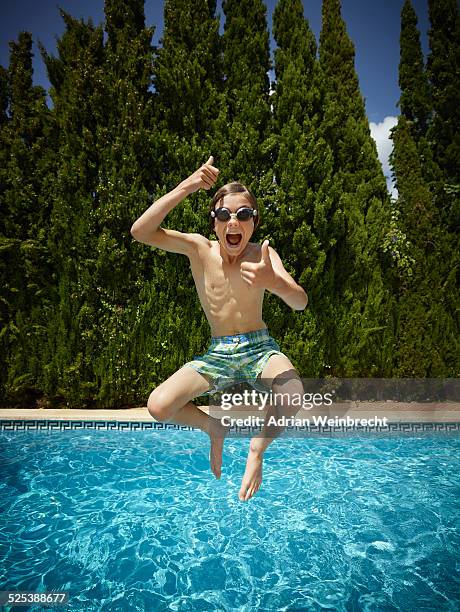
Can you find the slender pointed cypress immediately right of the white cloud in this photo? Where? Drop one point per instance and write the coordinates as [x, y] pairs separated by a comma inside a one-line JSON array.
[[426, 337]]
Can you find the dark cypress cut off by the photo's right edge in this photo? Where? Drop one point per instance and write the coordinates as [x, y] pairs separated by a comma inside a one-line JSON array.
[[442, 168]]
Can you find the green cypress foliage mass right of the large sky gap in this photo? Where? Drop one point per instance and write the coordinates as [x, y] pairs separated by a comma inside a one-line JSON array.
[[421, 240]]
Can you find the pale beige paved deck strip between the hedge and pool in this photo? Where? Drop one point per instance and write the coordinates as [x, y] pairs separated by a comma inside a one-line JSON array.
[[412, 412]]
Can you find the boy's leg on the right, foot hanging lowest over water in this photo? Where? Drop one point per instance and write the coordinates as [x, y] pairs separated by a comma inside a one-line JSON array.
[[284, 381]]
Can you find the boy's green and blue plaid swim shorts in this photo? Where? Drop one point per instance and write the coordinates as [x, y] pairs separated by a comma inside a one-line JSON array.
[[233, 359]]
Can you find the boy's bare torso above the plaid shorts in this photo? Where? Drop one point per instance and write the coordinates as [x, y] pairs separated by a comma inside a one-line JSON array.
[[230, 304]]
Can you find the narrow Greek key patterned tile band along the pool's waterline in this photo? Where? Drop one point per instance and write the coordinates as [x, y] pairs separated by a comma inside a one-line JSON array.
[[319, 430]]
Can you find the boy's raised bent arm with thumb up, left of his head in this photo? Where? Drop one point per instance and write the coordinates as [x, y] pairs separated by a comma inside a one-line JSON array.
[[147, 228]]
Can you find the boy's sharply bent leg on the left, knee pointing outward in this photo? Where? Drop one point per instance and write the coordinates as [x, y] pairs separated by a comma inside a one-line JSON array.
[[171, 402]]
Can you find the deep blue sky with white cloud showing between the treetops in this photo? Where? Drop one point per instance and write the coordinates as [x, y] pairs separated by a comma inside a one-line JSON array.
[[373, 25]]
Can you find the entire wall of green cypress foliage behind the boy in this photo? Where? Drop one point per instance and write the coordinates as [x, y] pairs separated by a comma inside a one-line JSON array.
[[89, 317]]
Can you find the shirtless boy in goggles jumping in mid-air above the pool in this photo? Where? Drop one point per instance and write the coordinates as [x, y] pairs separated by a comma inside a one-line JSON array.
[[231, 275]]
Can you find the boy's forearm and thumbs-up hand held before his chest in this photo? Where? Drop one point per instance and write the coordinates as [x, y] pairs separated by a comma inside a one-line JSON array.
[[270, 274]]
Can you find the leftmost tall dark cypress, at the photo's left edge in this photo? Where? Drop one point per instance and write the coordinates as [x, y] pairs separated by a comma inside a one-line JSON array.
[[25, 263]]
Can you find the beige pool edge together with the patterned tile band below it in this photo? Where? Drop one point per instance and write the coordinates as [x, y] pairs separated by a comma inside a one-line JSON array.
[[402, 418]]
